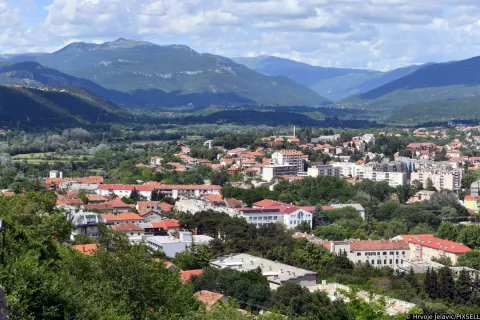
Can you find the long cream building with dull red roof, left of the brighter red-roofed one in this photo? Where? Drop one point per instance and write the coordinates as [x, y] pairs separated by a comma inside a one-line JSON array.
[[378, 253]]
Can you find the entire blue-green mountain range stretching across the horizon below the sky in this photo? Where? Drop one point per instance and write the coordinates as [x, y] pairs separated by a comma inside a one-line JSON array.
[[132, 73]]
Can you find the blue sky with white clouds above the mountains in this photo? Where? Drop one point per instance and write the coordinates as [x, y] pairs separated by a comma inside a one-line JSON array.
[[367, 34]]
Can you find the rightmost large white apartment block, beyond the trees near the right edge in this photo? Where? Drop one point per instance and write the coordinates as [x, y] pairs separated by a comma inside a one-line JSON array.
[[442, 179]]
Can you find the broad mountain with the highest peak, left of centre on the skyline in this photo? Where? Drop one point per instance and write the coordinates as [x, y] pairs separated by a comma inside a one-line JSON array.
[[173, 75]]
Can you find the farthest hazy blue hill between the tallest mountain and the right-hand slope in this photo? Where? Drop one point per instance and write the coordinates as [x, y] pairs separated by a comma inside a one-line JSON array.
[[332, 83]]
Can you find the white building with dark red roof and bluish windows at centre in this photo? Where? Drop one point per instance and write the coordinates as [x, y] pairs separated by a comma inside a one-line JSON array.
[[290, 216]]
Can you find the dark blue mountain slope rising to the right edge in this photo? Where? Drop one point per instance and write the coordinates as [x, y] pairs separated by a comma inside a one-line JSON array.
[[436, 82]]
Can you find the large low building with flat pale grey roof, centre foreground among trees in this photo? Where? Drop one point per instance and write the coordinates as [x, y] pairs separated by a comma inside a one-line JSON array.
[[275, 272]]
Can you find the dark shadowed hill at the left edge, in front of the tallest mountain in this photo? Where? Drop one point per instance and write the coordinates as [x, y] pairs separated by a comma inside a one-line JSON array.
[[54, 105]]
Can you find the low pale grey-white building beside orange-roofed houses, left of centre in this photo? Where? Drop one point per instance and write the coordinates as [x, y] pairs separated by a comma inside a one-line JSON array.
[[172, 245]]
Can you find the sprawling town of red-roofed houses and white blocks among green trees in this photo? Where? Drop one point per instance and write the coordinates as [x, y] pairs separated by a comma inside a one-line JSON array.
[[401, 201]]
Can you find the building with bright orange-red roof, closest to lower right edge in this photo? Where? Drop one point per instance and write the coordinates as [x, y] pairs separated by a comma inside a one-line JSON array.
[[426, 246]]
